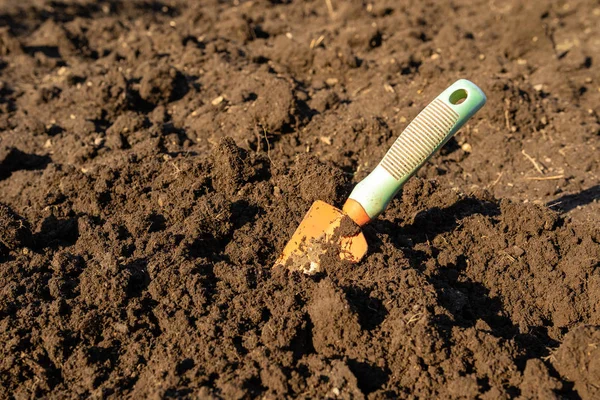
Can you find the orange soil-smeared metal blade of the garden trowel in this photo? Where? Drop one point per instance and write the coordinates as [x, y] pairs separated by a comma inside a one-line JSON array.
[[317, 232]]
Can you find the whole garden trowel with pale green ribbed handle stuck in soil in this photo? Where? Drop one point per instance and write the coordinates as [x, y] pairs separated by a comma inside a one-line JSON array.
[[326, 227]]
